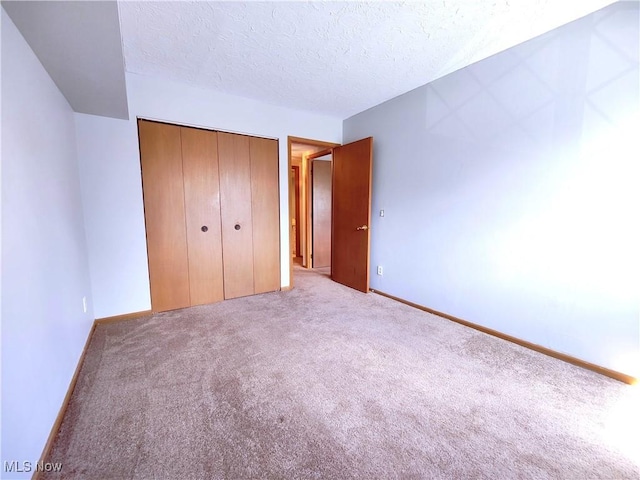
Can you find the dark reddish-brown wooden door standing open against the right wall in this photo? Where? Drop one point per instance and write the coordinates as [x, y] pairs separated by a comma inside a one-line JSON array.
[[351, 207]]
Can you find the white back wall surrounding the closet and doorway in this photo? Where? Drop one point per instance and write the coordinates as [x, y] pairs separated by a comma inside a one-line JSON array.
[[112, 188]]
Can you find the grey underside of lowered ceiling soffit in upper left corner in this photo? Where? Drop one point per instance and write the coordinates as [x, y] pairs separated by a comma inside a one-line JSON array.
[[80, 46]]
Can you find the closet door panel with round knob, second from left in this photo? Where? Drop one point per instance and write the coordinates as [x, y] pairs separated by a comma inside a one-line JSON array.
[[202, 199]]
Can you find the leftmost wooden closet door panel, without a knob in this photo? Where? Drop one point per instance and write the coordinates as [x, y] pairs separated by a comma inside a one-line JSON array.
[[160, 155]]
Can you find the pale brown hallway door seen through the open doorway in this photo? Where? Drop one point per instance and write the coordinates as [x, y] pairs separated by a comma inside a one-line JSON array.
[[321, 213]]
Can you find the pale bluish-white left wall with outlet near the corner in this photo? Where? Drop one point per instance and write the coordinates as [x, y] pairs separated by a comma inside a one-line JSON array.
[[44, 263]]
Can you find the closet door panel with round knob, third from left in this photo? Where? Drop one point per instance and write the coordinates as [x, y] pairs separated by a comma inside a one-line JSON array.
[[235, 206]]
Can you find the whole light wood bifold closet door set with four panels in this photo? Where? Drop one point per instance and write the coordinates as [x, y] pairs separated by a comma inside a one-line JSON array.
[[211, 202]]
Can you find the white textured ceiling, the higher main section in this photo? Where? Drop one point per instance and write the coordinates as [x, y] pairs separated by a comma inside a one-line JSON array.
[[336, 58]]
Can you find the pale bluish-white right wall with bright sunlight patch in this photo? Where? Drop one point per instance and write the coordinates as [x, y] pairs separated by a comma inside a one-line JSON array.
[[510, 191]]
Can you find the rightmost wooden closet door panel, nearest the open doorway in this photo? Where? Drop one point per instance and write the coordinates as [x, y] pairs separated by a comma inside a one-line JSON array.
[[265, 204]]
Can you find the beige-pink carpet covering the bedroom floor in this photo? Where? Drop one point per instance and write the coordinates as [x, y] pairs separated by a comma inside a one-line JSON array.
[[324, 382]]
